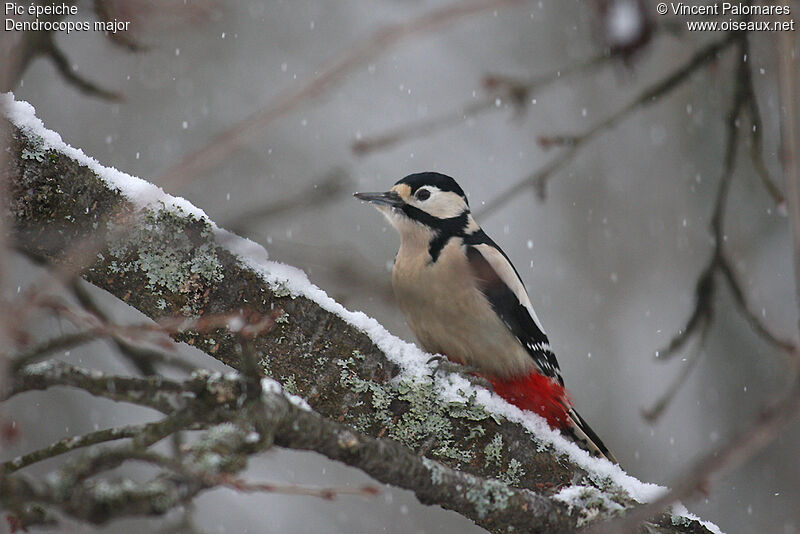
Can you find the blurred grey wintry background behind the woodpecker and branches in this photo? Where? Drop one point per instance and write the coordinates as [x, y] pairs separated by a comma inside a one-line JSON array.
[[610, 258]]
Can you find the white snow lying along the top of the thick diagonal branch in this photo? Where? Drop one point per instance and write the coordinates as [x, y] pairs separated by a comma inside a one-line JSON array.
[[411, 359]]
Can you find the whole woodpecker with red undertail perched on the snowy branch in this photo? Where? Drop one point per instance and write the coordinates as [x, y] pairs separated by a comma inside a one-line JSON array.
[[462, 298]]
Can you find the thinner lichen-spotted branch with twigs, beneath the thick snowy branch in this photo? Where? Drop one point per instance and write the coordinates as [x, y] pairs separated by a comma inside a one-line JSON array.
[[488, 502]]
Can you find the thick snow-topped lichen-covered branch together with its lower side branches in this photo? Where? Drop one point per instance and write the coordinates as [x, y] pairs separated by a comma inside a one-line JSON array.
[[375, 402]]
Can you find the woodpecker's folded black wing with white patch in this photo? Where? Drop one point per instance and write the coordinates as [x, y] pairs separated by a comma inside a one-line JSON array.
[[503, 288]]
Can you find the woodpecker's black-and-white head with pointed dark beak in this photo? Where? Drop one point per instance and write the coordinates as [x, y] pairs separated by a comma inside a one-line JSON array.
[[426, 201]]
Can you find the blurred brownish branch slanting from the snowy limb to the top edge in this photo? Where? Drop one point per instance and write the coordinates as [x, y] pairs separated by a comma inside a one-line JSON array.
[[225, 143]]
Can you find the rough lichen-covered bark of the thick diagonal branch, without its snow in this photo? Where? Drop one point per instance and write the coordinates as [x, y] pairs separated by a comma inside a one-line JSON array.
[[171, 264]]
